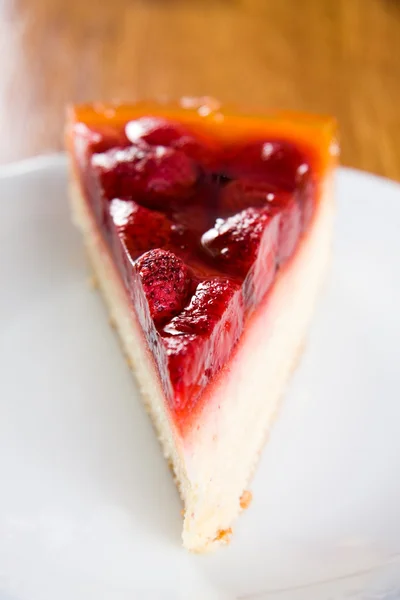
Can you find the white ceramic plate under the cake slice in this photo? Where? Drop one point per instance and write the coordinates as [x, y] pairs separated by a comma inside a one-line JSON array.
[[87, 505]]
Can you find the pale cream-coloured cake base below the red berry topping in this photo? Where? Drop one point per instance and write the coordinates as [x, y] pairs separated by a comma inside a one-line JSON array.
[[215, 460]]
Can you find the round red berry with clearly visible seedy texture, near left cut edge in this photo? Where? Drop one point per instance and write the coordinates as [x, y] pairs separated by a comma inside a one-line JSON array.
[[166, 283]]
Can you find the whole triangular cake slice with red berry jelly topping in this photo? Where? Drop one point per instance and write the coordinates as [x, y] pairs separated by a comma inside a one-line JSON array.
[[209, 234]]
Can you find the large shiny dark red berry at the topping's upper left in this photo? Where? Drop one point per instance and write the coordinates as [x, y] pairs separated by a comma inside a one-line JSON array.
[[149, 175]]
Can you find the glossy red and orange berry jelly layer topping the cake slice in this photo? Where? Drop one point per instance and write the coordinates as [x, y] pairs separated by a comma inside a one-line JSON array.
[[199, 224]]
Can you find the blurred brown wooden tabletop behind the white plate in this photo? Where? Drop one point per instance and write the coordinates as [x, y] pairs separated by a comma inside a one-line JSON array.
[[334, 56]]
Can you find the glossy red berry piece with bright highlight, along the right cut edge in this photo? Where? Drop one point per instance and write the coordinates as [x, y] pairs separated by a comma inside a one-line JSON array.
[[235, 241]]
